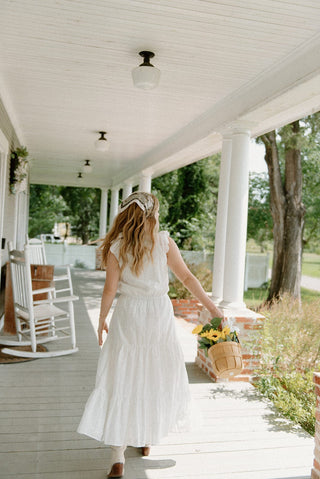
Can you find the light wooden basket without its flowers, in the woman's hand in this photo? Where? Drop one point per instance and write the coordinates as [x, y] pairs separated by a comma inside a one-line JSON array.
[[226, 359]]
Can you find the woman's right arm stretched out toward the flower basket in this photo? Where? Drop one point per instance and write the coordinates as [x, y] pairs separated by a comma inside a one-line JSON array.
[[182, 272]]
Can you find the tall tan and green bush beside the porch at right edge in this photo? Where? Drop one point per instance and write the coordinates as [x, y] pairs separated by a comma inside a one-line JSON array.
[[290, 344]]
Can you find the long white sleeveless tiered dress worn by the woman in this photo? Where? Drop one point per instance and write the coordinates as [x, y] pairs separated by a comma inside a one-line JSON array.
[[141, 391]]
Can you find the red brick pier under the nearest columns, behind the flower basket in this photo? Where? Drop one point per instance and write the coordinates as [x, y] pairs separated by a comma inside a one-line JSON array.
[[247, 323]]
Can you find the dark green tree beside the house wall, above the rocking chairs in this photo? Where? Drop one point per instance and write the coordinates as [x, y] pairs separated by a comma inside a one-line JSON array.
[[47, 207]]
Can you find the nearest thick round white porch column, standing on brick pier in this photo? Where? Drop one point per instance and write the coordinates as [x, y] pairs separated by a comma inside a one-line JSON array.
[[235, 248]]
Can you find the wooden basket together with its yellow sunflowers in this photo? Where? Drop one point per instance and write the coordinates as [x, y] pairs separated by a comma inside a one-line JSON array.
[[222, 345]]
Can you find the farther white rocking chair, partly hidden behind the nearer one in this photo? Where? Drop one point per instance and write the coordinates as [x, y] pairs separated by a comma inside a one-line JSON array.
[[37, 255]]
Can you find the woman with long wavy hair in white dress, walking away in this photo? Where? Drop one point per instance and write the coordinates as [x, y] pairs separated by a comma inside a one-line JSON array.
[[142, 390]]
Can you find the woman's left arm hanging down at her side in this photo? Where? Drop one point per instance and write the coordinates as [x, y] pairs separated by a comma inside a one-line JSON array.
[[109, 292]]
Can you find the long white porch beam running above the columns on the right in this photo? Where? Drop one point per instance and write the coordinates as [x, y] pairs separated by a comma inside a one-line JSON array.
[[287, 91]]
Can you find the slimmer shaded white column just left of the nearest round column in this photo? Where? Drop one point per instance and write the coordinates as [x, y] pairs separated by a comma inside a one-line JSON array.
[[221, 222]]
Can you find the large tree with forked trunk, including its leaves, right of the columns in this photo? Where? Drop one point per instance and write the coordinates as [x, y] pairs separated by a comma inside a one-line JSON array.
[[290, 152]]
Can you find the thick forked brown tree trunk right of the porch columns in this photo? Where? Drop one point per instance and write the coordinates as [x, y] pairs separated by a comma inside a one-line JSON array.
[[287, 213]]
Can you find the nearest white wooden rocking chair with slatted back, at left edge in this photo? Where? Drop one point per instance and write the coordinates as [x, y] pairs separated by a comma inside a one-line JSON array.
[[37, 322]]
